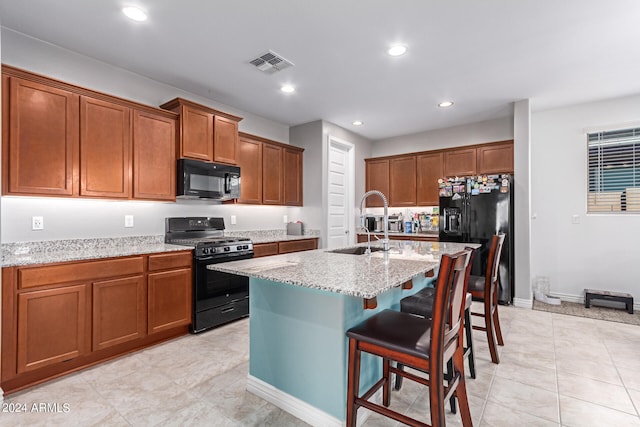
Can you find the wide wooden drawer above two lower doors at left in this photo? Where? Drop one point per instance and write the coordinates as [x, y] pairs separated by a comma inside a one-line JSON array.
[[29, 277]]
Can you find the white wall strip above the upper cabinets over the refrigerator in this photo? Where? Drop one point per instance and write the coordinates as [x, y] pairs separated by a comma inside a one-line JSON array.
[[470, 134]]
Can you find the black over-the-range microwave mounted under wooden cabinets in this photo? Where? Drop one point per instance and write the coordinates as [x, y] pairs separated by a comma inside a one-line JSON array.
[[202, 180]]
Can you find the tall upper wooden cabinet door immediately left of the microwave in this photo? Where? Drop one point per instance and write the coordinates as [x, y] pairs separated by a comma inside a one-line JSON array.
[[154, 160]]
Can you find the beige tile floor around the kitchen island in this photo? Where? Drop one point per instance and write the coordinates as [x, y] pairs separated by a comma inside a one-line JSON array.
[[555, 370]]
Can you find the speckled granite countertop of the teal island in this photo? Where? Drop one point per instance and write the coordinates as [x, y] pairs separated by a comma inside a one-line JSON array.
[[357, 275]]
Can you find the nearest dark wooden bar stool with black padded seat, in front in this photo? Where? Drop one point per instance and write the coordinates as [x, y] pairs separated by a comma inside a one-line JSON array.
[[420, 343]]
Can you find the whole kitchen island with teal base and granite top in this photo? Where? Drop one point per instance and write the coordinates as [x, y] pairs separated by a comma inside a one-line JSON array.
[[301, 305]]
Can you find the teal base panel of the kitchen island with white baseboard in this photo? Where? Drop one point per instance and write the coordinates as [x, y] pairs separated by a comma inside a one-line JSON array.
[[298, 346]]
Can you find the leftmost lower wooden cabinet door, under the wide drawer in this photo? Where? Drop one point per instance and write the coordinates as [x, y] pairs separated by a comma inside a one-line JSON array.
[[52, 326]]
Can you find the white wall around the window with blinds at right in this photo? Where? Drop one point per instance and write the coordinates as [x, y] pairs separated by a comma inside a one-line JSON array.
[[602, 251]]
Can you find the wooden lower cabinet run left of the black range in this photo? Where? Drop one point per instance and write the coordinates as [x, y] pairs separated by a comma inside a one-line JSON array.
[[58, 318]]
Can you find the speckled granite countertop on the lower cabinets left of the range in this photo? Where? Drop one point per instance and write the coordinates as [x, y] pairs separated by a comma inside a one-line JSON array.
[[52, 251]]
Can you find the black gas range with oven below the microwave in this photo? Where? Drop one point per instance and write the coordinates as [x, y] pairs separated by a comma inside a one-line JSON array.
[[218, 297]]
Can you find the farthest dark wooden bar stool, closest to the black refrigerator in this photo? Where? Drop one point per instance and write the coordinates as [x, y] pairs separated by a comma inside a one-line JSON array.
[[485, 289]]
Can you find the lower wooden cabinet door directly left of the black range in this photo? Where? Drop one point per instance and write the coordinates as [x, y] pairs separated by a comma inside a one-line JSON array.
[[169, 299]]
